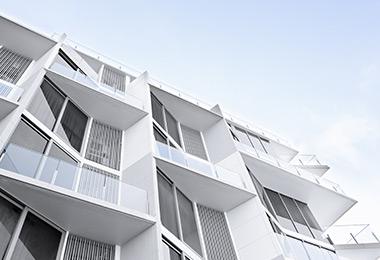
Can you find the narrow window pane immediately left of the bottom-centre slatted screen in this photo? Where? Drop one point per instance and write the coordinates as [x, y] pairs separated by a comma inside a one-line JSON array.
[[188, 224]]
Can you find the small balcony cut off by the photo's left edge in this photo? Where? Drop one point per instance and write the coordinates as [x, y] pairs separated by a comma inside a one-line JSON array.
[[9, 96]]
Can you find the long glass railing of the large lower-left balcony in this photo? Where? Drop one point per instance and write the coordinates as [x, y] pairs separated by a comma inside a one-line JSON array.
[[59, 173]]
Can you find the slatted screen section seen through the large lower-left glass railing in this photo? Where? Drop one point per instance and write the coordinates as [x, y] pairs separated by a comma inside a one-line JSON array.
[[99, 184]]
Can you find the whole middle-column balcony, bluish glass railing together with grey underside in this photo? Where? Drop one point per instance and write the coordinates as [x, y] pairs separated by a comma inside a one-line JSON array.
[[209, 185]]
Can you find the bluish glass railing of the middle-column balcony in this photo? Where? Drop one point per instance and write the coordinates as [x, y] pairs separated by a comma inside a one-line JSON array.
[[199, 165]]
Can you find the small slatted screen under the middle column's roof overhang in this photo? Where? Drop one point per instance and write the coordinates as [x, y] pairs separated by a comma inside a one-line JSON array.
[[193, 142]]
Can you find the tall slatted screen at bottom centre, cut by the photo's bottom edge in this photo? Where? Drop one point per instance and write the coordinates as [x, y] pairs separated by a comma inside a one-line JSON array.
[[216, 234]]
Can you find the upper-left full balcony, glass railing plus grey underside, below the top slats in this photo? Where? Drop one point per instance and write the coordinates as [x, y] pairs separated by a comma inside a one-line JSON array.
[[88, 94]]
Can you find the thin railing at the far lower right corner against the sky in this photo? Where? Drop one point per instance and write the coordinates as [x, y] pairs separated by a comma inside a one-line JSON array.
[[352, 234]]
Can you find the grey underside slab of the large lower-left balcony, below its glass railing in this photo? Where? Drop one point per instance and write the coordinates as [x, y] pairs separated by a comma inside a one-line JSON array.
[[75, 212]]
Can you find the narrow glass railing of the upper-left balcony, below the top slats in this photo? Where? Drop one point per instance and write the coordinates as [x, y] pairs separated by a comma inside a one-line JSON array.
[[83, 79]]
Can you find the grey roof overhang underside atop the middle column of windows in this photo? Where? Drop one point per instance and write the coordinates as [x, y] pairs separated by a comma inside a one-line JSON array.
[[186, 112]]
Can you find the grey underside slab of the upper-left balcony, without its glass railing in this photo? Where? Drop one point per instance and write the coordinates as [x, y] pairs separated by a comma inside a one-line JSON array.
[[98, 104]]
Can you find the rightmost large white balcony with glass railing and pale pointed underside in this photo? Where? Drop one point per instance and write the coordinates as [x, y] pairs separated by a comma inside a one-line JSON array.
[[326, 199]]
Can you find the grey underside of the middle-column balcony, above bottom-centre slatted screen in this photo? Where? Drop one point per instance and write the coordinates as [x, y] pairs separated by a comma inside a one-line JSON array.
[[203, 189]]
